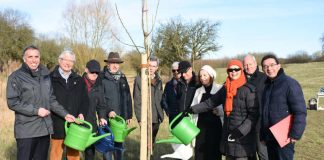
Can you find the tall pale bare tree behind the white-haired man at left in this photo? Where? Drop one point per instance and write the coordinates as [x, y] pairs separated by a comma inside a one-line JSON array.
[[88, 28]]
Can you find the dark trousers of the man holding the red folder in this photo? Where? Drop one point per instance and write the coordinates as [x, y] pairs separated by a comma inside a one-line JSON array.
[[277, 153]]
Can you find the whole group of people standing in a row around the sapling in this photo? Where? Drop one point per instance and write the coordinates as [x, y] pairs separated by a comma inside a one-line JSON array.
[[234, 117]]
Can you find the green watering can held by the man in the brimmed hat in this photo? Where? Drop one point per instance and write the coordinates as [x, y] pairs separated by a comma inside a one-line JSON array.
[[119, 128]]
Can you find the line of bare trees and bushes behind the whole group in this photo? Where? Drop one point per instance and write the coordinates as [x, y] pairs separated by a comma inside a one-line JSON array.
[[88, 27]]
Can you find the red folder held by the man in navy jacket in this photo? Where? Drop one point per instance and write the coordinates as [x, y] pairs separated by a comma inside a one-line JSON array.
[[281, 130]]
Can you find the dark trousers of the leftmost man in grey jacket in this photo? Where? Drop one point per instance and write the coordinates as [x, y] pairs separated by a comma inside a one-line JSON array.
[[33, 148]]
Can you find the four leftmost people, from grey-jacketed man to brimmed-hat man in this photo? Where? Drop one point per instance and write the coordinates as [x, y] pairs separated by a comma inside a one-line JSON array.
[[44, 100]]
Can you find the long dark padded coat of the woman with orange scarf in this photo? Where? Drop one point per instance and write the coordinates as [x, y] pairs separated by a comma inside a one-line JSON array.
[[243, 117]]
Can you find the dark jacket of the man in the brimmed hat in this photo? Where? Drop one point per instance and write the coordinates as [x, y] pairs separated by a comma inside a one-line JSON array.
[[117, 95]]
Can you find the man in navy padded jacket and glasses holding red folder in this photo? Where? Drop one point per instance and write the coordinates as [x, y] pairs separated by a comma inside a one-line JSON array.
[[282, 96]]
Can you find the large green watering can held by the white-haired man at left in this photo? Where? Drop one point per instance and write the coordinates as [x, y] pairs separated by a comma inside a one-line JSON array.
[[79, 137]]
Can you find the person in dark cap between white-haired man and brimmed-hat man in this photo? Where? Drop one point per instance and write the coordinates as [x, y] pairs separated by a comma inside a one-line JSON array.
[[96, 101]]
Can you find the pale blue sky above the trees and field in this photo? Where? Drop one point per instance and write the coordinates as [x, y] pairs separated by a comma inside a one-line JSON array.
[[279, 26]]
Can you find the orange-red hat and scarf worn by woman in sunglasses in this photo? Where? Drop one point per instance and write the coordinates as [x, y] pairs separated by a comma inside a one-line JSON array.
[[232, 86]]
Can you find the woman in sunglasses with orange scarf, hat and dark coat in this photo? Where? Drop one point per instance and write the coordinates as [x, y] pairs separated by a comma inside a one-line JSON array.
[[241, 113]]
